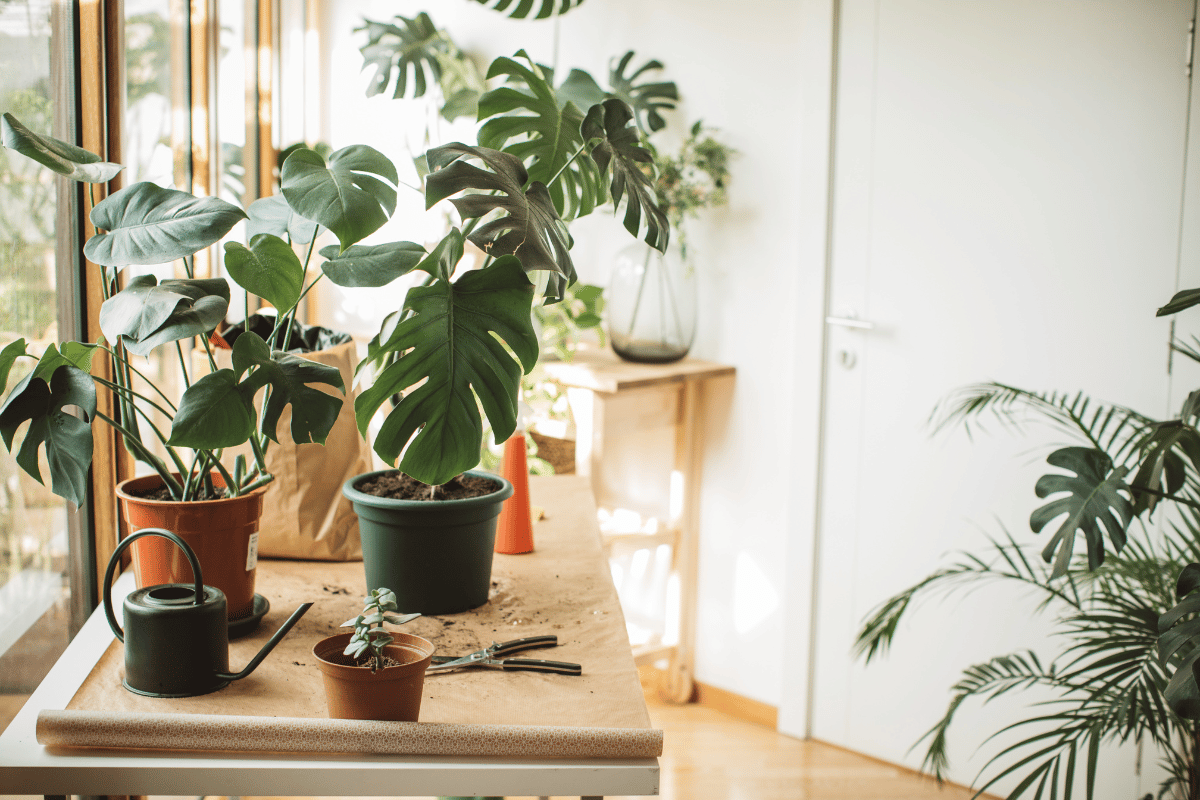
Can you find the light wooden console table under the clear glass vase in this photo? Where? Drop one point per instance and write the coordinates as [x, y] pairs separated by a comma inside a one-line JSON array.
[[613, 399]]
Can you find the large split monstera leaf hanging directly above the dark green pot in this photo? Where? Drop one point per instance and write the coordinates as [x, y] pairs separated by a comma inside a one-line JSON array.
[[453, 342]]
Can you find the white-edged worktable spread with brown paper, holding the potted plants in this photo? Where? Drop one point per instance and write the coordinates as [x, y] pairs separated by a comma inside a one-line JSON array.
[[29, 768]]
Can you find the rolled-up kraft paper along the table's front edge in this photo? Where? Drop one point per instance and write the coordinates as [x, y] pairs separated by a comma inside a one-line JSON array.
[[203, 732]]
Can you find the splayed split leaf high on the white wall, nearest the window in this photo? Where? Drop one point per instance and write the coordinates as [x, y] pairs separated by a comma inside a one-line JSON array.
[[403, 47]]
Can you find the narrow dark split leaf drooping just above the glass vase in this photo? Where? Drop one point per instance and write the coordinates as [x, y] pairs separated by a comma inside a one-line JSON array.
[[621, 151]]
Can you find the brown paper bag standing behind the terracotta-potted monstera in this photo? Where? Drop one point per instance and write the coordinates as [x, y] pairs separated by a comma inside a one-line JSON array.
[[304, 513]]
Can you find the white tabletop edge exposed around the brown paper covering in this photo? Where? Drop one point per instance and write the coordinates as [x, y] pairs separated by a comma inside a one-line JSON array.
[[29, 768]]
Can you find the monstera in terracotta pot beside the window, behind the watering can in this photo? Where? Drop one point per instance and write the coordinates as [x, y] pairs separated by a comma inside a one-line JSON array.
[[189, 491]]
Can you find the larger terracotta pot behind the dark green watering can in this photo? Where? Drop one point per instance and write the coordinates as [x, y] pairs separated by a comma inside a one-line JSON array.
[[223, 533]]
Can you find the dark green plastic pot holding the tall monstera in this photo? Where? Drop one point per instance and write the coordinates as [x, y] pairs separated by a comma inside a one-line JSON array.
[[436, 556]]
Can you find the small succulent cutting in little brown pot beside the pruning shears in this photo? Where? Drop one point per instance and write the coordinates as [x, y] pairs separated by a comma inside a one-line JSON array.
[[373, 675]]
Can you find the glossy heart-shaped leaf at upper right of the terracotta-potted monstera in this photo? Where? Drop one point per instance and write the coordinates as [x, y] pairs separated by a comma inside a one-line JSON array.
[[347, 196]]
